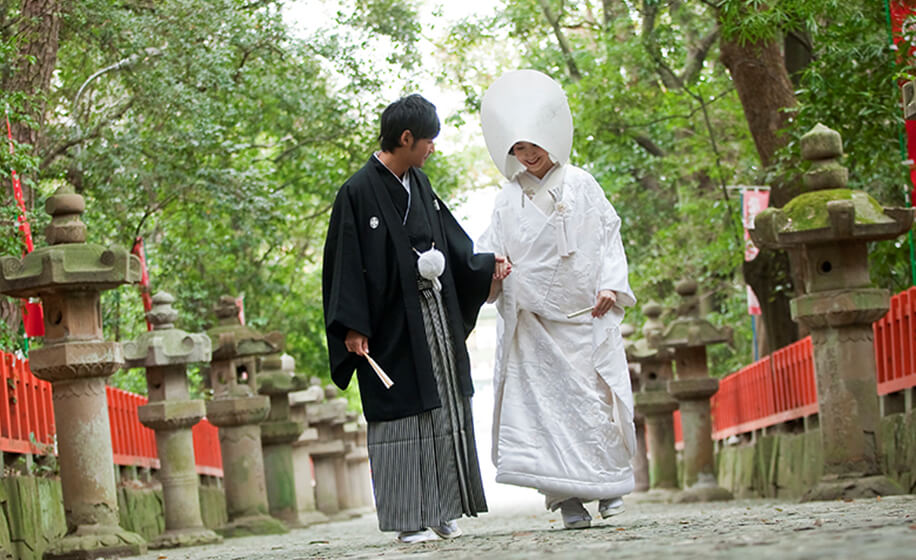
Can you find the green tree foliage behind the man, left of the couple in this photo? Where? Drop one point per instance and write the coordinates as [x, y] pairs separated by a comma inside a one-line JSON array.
[[220, 137]]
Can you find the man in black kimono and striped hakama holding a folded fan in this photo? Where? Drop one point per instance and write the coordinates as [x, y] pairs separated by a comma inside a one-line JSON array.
[[376, 302]]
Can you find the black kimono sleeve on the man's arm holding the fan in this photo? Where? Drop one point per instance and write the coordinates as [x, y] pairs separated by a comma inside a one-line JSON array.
[[343, 287]]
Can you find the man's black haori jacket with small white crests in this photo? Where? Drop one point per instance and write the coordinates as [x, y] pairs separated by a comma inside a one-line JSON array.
[[369, 285]]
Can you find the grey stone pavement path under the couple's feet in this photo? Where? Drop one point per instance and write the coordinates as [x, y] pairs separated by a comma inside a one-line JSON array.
[[746, 529]]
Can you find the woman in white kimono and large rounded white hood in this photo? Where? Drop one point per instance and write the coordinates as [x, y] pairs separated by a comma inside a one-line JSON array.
[[563, 415]]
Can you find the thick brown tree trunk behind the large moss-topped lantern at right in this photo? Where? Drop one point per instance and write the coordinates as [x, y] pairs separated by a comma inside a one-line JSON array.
[[759, 73]]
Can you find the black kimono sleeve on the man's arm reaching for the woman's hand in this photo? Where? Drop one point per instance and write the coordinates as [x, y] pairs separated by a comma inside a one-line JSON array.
[[471, 271]]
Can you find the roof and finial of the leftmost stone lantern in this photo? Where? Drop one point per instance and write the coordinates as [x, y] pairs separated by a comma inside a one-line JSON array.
[[67, 261]]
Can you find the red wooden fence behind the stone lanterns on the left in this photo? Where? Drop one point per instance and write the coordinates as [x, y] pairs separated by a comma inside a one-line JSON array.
[[27, 422]]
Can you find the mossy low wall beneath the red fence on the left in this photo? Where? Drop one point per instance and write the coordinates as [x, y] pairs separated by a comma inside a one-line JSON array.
[[32, 514]]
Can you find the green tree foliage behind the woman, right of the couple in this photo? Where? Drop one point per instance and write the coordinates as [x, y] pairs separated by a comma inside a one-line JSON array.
[[660, 125]]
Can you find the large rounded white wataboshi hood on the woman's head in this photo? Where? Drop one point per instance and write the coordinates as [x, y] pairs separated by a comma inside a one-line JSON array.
[[525, 106]]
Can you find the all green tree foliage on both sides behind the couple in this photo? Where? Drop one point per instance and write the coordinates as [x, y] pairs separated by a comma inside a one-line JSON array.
[[220, 136]]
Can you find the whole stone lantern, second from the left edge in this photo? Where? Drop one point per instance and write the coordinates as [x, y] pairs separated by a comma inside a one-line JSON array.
[[165, 352]]
